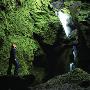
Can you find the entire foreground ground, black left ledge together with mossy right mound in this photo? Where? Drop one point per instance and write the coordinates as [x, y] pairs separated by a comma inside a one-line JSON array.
[[75, 80]]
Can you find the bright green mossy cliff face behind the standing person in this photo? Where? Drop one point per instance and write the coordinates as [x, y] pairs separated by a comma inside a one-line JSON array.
[[18, 20]]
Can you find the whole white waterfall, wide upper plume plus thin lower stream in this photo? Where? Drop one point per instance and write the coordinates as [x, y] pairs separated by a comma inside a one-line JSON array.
[[66, 21]]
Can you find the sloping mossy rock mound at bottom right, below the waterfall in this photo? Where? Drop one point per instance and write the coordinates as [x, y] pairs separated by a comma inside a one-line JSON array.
[[75, 80]]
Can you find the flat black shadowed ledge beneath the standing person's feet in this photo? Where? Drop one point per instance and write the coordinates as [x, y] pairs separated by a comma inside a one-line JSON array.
[[16, 82]]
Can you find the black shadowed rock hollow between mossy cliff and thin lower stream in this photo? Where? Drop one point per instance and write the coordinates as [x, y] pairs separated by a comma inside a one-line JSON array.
[[56, 58]]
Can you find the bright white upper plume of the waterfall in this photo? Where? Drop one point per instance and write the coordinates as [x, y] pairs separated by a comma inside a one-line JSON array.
[[65, 21]]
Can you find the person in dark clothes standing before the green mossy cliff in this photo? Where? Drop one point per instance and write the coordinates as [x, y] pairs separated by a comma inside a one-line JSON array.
[[13, 61]]
